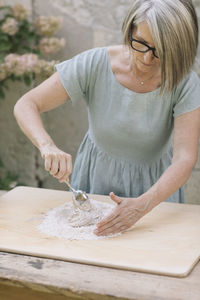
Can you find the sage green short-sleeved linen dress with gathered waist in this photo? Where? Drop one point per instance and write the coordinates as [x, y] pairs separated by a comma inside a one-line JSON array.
[[128, 145]]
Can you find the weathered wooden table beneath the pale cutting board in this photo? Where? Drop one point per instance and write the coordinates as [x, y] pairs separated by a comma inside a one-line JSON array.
[[27, 278]]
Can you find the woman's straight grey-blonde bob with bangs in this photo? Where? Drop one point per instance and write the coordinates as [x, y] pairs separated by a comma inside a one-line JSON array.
[[174, 28]]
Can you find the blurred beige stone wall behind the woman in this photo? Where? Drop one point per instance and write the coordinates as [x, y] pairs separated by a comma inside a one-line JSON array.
[[86, 24]]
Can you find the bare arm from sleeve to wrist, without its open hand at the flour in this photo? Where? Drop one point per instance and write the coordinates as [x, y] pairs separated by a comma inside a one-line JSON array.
[[185, 156]]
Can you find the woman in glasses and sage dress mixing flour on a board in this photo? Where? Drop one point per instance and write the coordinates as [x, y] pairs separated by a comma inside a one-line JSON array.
[[137, 95]]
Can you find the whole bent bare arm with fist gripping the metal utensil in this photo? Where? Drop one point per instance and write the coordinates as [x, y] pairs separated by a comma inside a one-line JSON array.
[[46, 96]]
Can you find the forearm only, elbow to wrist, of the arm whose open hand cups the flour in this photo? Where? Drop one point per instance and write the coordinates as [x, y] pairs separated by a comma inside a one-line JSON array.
[[171, 180]]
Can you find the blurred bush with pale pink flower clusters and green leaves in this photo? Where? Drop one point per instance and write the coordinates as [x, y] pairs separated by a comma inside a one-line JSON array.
[[24, 45]]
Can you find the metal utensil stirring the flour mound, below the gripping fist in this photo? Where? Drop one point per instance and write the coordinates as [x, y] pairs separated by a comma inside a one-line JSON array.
[[80, 198]]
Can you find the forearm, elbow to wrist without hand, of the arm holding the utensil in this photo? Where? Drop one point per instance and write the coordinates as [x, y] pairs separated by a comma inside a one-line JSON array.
[[30, 122]]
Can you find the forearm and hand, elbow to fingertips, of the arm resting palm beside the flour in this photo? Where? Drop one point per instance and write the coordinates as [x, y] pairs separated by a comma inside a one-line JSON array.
[[130, 210]]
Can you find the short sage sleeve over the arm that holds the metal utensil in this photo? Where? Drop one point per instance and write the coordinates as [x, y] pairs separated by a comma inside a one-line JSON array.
[[77, 74]]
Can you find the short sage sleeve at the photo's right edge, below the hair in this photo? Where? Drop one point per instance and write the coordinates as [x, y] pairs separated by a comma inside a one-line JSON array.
[[187, 95]]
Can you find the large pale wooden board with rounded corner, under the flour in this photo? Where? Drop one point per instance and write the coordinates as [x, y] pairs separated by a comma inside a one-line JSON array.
[[166, 241]]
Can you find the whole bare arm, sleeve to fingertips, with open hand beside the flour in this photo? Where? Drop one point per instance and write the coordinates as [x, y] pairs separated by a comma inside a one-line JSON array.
[[185, 154]]
